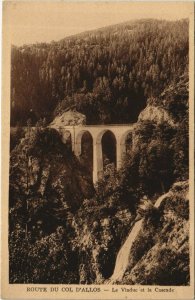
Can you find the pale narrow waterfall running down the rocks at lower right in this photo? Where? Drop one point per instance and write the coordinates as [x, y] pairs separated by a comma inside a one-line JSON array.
[[122, 259]]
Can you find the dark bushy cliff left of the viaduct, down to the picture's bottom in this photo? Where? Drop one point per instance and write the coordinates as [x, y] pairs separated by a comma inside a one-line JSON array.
[[47, 186]]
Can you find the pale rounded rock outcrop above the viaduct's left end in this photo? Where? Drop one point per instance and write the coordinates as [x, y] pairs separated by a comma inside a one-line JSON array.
[[69, 118]]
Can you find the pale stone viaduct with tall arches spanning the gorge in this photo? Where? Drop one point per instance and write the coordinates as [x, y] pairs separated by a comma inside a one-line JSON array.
[[120, 132]]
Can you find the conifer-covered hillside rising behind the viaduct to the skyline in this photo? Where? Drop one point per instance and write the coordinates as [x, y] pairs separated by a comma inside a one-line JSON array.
[[107, 74]]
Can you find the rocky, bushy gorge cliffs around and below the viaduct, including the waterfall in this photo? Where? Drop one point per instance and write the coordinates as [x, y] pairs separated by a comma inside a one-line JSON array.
[[63, 230]]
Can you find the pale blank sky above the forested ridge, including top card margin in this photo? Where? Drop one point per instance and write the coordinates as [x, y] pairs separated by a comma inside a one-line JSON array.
[[41, 21]]
